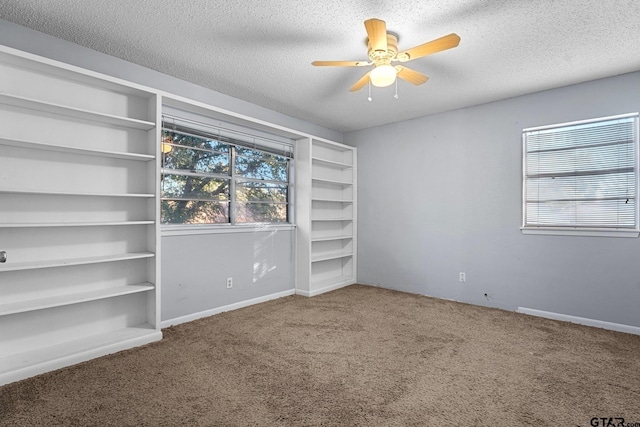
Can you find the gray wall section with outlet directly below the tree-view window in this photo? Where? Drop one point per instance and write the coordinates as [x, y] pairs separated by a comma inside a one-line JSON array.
[[195, 269]]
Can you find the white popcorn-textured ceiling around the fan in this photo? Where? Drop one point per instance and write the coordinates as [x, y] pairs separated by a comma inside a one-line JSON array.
[[261, 51]]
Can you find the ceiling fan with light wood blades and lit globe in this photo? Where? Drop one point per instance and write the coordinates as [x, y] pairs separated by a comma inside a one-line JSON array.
[[383, 50]]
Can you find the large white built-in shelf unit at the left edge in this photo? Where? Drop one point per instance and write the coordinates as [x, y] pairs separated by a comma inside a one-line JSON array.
[[79, 218]]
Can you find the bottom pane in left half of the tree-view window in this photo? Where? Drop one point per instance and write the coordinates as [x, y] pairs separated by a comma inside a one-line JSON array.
[[194, 212]]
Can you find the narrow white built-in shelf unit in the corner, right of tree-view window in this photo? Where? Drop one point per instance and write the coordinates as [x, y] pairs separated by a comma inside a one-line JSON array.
[[326, 238]]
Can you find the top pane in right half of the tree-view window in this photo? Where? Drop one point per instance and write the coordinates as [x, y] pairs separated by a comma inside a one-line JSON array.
[[260, 165]]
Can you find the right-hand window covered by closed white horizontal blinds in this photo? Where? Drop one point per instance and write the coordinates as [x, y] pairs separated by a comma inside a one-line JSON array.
[[582, 175]]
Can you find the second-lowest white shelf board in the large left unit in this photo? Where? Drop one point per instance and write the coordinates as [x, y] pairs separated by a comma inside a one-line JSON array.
[[72, 298]]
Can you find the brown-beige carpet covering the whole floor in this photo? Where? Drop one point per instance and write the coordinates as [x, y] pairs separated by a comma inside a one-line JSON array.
[[359, 356]]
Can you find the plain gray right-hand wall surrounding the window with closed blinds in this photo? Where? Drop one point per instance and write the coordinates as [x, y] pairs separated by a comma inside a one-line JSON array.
[[441, 195]]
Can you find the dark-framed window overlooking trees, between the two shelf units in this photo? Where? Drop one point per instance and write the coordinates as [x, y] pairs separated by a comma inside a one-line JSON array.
[[216, 176]]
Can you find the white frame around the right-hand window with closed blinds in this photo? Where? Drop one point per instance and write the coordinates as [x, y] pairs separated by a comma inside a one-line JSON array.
[[613, 231]]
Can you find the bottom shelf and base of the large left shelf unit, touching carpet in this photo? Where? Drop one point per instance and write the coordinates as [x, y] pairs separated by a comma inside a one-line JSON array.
[[29, 363]]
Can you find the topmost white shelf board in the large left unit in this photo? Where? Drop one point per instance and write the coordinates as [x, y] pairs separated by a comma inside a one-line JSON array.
[[78, 113]]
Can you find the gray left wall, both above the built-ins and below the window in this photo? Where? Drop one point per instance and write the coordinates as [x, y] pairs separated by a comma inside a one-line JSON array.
[[194, 267]]
